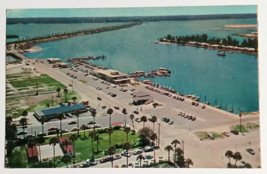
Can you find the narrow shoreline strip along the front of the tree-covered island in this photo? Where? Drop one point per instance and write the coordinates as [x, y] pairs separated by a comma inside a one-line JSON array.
[[212, 48]]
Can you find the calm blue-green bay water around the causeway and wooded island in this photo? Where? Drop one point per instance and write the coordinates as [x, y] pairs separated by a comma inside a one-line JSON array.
[[194, 70]]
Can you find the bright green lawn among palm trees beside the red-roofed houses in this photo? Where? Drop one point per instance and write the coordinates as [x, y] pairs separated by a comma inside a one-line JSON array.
[[83, 145]]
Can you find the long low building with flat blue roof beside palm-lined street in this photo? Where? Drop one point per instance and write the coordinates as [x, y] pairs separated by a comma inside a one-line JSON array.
[[52, 113]]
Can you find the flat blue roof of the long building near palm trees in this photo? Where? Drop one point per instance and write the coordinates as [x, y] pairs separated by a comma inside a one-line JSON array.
[[60, 109]]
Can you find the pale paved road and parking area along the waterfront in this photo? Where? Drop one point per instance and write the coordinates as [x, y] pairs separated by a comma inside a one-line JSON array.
[[203, 153]]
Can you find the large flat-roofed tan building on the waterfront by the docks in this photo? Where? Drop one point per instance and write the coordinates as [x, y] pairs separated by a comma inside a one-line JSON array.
[[112, 76]]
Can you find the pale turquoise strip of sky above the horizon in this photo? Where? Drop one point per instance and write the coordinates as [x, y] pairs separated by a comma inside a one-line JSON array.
[[145, 11]]
